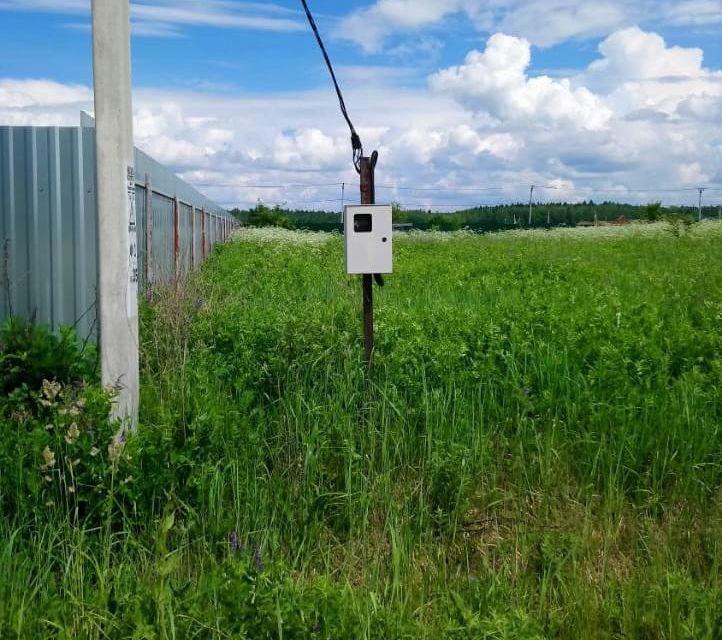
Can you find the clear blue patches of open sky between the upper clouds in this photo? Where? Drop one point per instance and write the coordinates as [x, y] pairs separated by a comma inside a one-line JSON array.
[[58, 46]]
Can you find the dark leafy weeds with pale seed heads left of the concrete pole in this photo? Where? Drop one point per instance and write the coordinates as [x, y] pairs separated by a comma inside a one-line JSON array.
[[59, 449]]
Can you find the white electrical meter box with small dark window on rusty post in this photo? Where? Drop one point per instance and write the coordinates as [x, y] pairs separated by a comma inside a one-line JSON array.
[[368, 230]]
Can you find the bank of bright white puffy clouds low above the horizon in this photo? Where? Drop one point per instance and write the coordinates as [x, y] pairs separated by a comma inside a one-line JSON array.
[[643, 118]]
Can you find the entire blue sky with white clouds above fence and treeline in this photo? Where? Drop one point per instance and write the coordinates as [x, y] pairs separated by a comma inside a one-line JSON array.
[[467, 101]]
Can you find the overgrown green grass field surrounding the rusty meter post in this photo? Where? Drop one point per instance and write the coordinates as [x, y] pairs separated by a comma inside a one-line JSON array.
[[535, 453]]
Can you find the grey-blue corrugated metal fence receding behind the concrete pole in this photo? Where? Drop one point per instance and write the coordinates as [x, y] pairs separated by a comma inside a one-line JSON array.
[[48, 221]]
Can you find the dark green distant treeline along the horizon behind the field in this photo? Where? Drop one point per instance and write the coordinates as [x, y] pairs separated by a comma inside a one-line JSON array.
[[482, 218]]
